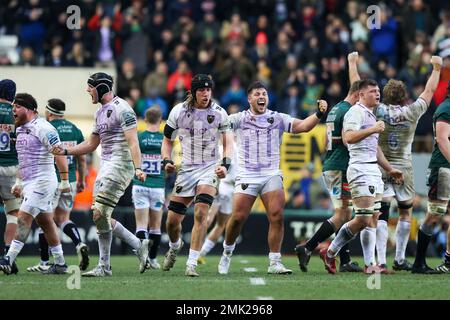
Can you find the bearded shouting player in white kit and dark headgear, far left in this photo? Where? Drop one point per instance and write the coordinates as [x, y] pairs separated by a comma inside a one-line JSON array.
[[35, 140]]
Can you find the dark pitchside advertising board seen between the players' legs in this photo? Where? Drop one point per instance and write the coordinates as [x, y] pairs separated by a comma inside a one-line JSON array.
[[299, 226]]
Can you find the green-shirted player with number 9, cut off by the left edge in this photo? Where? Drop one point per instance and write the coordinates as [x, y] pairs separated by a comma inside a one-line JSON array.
[[8, 161]]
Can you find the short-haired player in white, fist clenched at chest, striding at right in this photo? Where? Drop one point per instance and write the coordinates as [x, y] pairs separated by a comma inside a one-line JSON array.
[[360, 132]]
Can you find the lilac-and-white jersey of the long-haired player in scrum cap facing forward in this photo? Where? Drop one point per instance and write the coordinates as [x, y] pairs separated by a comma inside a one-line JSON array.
[[199, 133]]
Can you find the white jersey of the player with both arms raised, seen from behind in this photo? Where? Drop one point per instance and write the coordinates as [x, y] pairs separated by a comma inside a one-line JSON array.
[[397, 137]]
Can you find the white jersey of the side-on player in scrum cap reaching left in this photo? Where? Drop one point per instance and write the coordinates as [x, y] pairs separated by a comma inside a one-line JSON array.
[[111, 121]]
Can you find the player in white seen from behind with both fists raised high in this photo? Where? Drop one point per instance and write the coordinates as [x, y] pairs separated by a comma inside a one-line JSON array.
[[400, 120]]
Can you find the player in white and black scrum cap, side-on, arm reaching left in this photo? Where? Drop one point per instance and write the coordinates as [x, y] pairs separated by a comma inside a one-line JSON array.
[[115, 129]]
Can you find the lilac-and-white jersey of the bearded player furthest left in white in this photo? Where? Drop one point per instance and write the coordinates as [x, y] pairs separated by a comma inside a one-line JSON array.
[[34, 143]]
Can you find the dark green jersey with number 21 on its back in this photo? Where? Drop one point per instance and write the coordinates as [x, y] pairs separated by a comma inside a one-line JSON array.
[[150, 145]]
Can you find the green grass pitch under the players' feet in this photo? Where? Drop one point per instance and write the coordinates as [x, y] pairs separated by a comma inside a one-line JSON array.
[[127, 283]]
